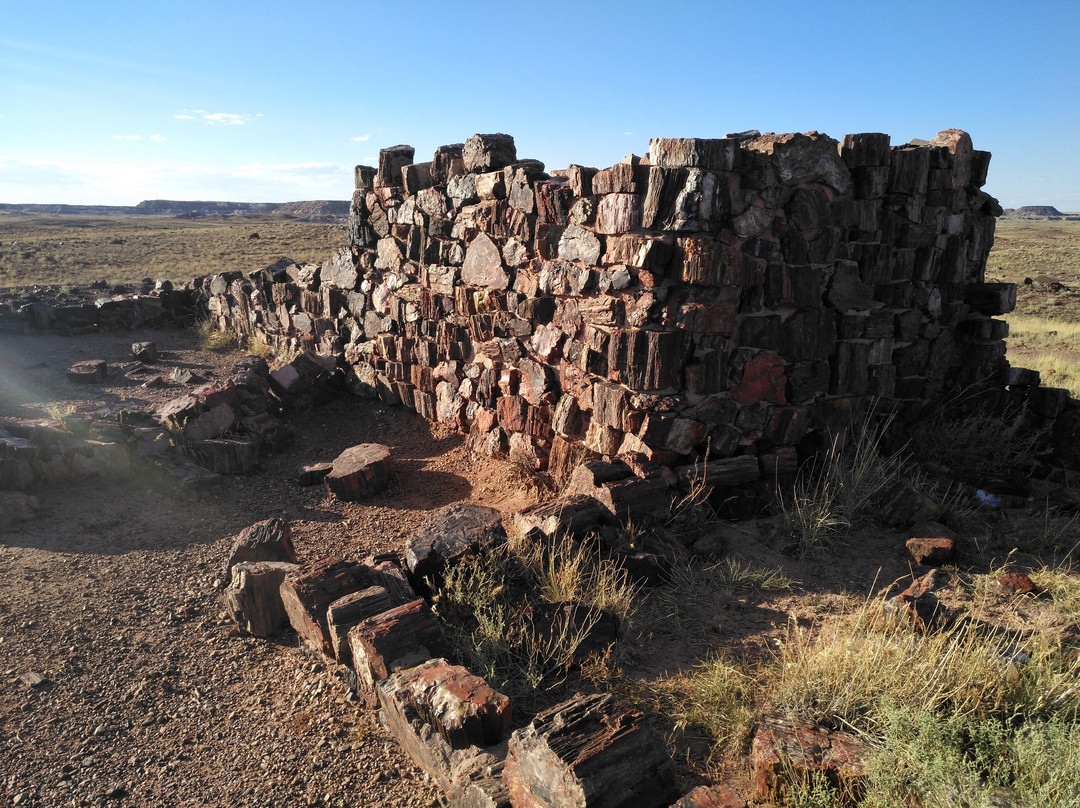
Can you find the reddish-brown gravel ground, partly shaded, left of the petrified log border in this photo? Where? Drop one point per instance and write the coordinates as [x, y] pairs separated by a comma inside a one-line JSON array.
[[125, 683]]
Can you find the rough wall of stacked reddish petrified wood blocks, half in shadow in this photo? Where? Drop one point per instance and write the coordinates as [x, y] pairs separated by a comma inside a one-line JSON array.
[[731, 298]]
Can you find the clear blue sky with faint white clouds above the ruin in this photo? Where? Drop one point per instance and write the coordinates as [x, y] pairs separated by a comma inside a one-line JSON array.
[[272, 102]]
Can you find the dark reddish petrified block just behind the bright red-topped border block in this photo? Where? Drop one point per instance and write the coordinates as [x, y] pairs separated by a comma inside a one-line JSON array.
[[396, 638]]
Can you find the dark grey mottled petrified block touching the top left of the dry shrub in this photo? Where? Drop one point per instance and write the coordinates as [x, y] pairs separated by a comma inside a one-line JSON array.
[[451, 534]]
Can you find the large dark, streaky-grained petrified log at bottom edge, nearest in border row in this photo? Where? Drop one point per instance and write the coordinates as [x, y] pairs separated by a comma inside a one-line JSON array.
[[588, 752]]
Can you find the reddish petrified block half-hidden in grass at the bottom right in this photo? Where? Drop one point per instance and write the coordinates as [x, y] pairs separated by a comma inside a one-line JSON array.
[[784, 748]]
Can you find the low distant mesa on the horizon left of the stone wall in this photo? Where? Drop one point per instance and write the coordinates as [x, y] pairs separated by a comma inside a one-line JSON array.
[[313, 211]]
